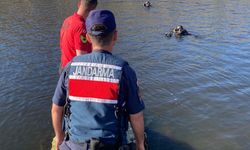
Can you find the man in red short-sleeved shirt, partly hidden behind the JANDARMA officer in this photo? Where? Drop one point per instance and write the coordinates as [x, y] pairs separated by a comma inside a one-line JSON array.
[[73, 33]]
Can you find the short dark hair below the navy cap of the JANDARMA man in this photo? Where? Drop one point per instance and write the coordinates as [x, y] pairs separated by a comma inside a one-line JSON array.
[[102, 39]]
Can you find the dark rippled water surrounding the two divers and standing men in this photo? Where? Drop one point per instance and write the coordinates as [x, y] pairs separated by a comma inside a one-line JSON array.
[[196, 89]]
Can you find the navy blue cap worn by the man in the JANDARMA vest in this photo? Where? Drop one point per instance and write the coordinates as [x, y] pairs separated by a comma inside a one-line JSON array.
[[100, 17]]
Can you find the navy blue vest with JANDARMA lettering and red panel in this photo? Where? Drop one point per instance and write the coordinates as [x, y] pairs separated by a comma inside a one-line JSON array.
[[93, 90]]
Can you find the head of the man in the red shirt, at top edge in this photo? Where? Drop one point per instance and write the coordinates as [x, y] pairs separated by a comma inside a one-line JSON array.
[[85, 6]]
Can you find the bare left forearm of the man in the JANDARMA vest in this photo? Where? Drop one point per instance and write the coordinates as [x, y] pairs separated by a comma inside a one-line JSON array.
[[57, 118]]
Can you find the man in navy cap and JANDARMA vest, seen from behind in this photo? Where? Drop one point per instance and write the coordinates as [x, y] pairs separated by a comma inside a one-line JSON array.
[[102, 94]]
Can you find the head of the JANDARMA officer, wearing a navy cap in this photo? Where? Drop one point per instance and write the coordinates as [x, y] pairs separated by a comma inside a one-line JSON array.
[[101, 29]]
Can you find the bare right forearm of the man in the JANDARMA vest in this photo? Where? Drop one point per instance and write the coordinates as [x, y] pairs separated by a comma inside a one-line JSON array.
[[137, 123]]
